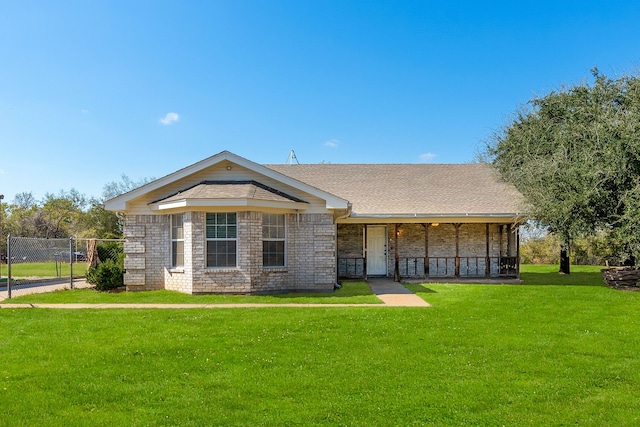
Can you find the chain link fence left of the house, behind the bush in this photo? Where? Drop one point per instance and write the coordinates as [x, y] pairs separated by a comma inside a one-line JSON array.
[[36, 262]]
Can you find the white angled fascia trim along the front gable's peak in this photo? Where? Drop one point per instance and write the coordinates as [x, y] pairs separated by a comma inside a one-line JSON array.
[[119, 203]]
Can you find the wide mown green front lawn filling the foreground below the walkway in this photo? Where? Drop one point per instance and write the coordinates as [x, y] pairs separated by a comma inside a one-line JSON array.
[[534, 354]]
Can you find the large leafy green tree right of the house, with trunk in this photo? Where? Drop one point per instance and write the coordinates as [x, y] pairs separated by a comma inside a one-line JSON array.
[[575, 156]]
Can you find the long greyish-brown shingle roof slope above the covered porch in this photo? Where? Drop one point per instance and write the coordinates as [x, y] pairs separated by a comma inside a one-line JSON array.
[[412, 189]]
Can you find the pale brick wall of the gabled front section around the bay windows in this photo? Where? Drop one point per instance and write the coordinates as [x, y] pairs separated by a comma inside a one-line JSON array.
[[310, 265]]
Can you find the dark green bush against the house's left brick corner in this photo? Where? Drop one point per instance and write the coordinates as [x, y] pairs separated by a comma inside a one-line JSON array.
[[109, 274]]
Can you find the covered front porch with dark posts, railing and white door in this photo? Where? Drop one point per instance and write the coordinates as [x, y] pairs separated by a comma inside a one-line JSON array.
[[433, 251]]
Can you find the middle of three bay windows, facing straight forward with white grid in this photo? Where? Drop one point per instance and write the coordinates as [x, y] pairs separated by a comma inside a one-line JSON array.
[[222, 233]]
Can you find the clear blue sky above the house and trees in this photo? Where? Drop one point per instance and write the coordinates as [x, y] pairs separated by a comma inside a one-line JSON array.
[[91, 90]]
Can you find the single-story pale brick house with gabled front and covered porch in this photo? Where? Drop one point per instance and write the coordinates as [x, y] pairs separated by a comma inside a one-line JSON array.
[[229, 225]]
